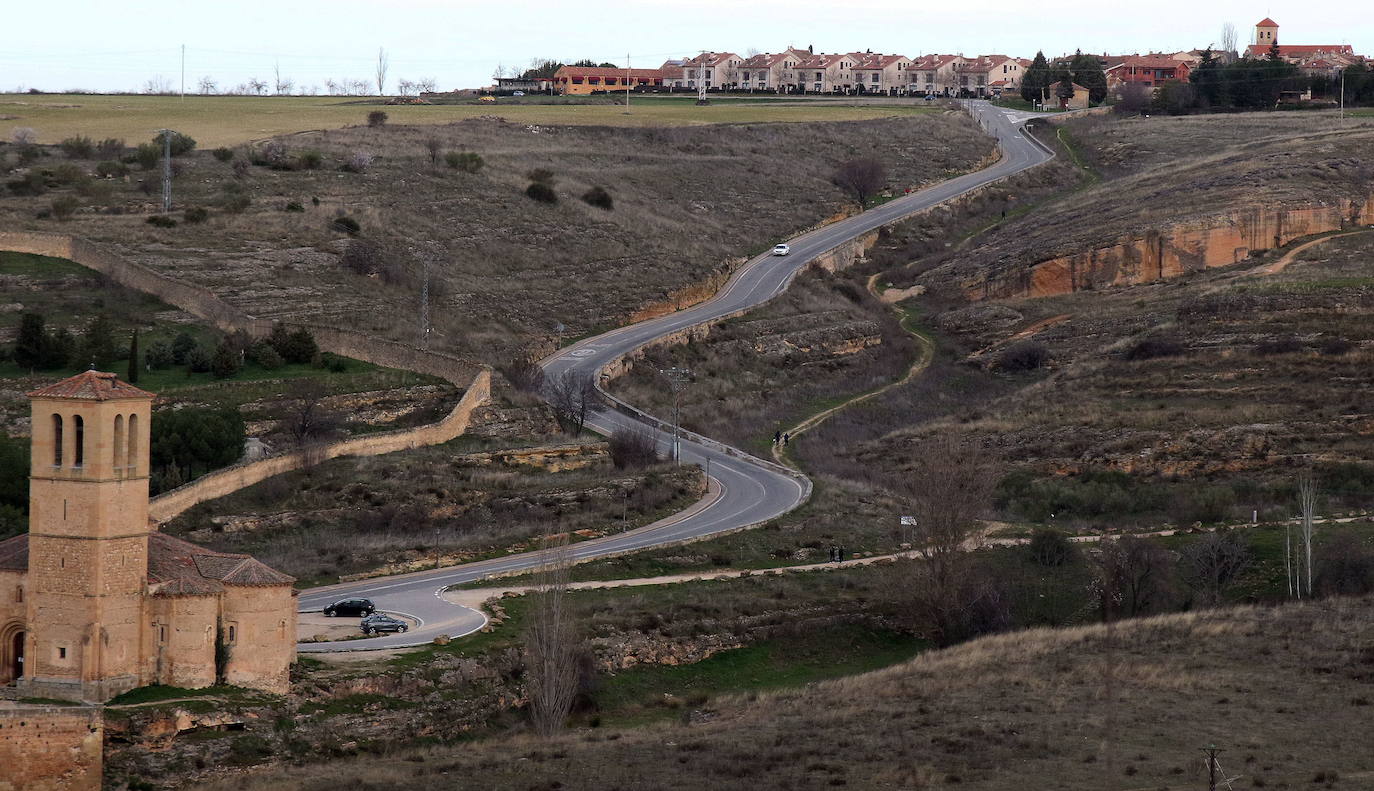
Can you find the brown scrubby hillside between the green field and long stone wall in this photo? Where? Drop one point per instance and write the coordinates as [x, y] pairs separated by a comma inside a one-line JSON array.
[[688, 204]]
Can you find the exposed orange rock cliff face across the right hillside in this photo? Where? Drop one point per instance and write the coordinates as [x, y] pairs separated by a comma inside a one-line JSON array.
[[1171, 252]]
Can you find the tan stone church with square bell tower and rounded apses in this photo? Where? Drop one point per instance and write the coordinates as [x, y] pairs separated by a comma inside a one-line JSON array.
[[94, 599]]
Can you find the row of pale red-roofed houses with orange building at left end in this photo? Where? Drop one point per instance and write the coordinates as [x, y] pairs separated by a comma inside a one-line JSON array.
[[806, 72]]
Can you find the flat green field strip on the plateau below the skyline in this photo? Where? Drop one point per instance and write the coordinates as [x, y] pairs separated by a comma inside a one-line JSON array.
[[233, 120]]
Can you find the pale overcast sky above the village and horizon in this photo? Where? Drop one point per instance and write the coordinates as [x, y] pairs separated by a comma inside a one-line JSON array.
[[108, 46]]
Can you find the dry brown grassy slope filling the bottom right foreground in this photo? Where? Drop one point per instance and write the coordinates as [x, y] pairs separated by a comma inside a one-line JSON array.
[[1284, 691]]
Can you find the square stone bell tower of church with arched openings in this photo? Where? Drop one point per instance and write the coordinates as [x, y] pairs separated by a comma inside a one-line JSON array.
[[89, 538]]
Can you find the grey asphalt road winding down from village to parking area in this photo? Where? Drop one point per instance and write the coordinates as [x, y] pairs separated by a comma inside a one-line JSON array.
[[747, 491]]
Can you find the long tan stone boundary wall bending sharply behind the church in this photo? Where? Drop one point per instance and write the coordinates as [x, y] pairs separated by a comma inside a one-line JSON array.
[[471, 377]]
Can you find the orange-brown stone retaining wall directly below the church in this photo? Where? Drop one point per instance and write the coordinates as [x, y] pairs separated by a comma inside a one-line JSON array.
[[50, 748]]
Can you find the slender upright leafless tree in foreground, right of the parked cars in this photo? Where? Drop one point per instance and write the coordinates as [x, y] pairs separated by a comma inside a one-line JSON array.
[[552, 646]]
